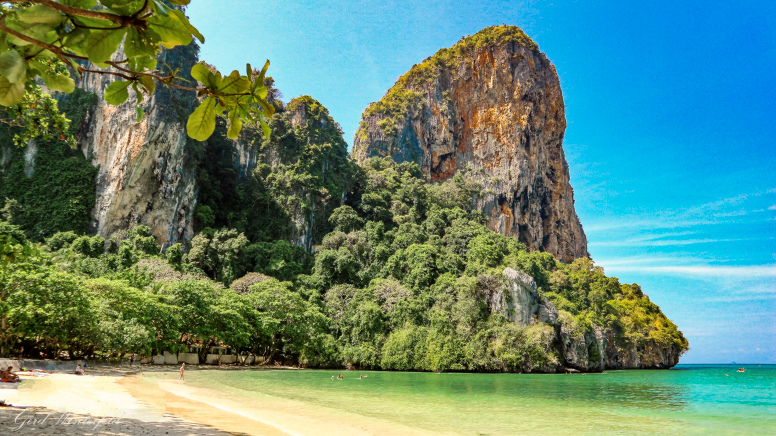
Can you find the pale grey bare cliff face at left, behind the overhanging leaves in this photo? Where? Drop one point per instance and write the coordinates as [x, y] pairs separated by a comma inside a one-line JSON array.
[[143, 173]]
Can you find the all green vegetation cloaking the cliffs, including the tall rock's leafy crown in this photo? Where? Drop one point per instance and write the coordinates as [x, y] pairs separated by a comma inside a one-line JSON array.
[[304, 258]]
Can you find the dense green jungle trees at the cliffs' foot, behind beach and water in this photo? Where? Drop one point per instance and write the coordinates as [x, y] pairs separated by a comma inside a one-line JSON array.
[[401, 282]]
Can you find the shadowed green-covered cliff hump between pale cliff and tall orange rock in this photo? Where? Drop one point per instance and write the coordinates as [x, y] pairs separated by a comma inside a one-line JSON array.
[[302, 172]]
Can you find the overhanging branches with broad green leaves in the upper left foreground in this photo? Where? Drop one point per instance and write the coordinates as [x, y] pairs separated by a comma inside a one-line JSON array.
[[47, 39]]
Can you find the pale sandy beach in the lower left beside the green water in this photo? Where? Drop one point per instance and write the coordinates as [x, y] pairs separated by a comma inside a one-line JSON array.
[[123, 402]]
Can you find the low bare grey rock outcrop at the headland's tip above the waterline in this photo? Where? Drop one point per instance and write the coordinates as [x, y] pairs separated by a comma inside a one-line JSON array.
[[579, 348]]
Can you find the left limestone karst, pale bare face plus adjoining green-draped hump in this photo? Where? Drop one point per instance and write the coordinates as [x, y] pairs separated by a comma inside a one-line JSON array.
[[151, 173]]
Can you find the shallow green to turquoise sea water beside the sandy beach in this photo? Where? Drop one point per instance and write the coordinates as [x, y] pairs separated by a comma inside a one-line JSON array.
[[690, 399]]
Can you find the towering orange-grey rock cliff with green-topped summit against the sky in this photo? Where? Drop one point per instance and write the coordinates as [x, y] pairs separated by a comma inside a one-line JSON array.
[[491, 109]]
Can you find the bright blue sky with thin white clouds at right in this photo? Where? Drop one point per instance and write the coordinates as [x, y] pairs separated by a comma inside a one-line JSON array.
[[670, 139]]
